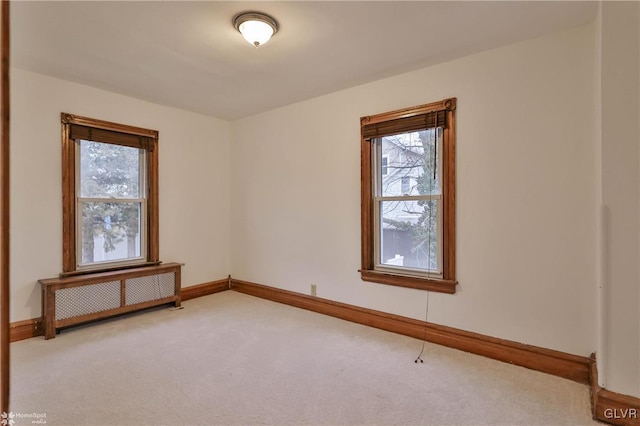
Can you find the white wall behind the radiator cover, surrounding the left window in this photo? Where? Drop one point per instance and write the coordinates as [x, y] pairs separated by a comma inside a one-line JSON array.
[[194, 182]]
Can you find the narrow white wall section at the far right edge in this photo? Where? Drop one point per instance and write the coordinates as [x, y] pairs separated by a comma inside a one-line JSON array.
[[618, 38]]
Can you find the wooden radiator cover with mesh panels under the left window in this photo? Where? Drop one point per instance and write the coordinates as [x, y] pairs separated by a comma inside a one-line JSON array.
[[73, 300]]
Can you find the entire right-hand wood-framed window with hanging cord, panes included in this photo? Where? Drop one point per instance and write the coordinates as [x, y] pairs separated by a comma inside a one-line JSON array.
[[408, 197]]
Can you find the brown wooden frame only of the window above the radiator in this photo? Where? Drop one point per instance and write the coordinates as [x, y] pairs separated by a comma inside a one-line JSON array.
[[148, 140]]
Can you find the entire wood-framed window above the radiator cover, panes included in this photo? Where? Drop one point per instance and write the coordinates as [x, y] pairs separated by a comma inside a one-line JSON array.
[[110, 210]]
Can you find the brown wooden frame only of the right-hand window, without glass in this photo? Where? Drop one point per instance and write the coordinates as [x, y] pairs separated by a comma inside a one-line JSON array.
[[395, 120]]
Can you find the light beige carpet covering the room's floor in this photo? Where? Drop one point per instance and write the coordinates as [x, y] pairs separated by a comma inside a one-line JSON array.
[[229, 358]]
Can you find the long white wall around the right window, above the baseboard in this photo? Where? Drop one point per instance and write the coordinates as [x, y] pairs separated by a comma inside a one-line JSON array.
[[526, 193]]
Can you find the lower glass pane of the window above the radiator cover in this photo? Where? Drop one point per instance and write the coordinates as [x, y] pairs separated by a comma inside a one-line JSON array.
[[110, 231]]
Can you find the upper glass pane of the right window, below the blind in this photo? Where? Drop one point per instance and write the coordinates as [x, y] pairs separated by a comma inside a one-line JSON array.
[[411, 162]]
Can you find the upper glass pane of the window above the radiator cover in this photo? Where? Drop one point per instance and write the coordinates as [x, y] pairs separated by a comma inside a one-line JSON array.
[[109, 171]]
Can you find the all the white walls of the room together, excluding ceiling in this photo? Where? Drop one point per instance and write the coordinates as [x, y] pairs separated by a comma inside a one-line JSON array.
[[544, 138]]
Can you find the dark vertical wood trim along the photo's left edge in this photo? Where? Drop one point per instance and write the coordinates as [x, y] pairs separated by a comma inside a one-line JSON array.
[[4, 207]]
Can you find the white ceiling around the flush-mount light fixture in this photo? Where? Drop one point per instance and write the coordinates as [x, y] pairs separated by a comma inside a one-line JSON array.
[[188, 55]]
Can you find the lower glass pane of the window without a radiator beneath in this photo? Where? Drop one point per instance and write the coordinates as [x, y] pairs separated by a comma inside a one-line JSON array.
[[409, 234]]
